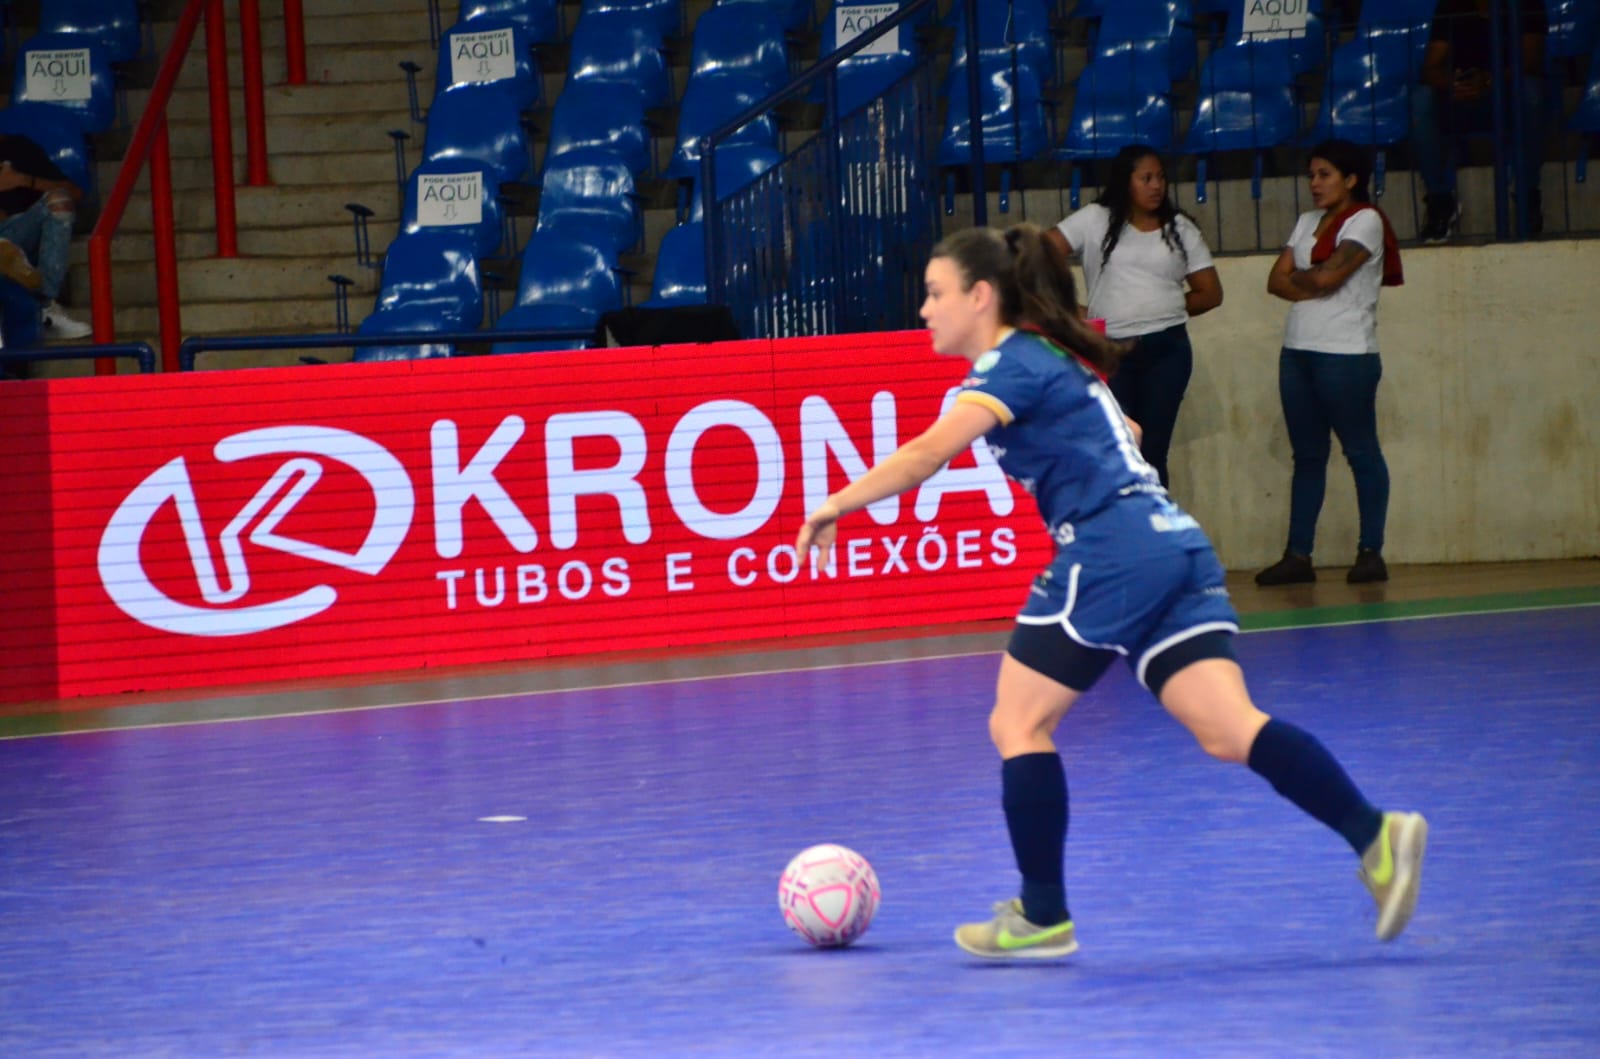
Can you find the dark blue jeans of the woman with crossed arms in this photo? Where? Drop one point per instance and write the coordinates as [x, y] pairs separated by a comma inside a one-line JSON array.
[[1338, 394]]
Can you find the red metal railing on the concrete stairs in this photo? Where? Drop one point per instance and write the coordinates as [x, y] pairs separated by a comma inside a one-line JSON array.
[[150, 143]]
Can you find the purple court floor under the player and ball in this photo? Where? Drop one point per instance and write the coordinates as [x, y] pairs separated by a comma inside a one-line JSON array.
[[594, 873]]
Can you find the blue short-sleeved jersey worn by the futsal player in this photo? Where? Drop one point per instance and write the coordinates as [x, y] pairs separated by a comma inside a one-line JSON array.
[[1065, 439]]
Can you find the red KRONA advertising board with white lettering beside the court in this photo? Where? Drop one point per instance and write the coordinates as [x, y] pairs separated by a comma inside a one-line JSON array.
[[241, 527]]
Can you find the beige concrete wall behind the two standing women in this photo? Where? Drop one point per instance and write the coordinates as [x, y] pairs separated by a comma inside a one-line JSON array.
[[1489, 412]]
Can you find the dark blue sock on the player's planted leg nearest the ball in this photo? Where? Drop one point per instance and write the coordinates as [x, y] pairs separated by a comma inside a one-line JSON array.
[[1036, 813]]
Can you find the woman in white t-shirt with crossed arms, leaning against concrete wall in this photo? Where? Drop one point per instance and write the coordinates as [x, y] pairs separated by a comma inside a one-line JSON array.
[[1335, 263]]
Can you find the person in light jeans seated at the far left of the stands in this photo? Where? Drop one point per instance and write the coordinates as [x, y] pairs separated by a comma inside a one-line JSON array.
[[38, 209]]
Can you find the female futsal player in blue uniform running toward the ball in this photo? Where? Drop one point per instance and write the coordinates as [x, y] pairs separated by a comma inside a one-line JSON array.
[[1134, 577]]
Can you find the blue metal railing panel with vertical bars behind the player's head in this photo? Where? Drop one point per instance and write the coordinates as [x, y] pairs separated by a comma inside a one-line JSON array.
[[834, 238]]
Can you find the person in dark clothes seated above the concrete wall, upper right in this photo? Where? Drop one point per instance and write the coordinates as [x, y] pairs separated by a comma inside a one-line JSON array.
[[1457, 97]]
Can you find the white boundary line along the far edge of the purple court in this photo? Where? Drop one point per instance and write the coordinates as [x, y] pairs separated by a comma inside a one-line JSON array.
[[111, 727]]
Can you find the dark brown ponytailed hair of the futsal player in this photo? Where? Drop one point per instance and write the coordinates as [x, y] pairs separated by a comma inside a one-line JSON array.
[[1036, 287]]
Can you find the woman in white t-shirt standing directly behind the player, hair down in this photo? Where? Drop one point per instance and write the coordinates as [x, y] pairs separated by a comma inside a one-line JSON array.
[[1148, 271]]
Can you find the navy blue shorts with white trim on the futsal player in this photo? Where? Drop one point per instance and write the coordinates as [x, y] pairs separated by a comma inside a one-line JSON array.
[[1159, 612]]
